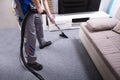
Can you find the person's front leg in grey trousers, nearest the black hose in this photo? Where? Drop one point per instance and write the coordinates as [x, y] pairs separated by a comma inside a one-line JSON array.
[[30, 43]]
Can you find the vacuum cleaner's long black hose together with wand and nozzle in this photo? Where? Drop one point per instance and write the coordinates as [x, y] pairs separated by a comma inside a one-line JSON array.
[[32, 11]]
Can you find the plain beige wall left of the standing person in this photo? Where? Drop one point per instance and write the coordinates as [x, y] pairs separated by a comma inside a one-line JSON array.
[[7, 18]]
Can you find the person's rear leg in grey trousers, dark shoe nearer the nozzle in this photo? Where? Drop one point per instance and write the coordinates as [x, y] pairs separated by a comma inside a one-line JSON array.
[[39, 32]]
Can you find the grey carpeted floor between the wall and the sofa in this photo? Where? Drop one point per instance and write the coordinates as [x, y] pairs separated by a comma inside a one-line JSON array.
[[65, 59]]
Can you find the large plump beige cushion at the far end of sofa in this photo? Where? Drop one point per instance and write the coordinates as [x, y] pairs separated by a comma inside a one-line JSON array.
[[98, 24]]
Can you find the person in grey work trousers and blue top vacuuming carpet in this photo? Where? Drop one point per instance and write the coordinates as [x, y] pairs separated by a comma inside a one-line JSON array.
[[34, 29]]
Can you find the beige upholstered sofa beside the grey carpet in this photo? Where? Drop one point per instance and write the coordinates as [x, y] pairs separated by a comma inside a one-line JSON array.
[[103, 45]]
